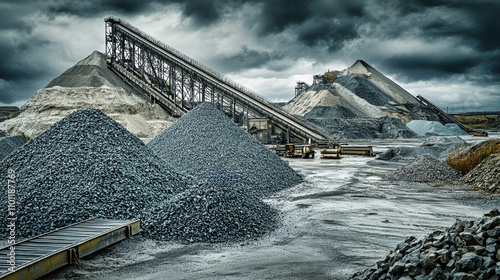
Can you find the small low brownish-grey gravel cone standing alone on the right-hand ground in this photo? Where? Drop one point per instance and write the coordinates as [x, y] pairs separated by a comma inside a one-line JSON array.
[[425, 168]]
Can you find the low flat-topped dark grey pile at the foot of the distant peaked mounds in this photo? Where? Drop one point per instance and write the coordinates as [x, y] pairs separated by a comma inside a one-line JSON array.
[[362, 128]]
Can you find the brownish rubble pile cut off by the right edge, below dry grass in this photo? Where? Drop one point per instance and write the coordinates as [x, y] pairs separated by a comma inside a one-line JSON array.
[[485, 176]]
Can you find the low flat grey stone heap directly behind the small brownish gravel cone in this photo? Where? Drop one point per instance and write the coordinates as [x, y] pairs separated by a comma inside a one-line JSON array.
[[438, 146]]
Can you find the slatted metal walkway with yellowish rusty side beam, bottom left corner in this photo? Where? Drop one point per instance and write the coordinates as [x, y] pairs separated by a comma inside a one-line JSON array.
[[37, 256]]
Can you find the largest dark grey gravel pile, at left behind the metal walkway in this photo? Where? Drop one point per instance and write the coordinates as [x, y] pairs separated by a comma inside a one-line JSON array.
[[86, 165]]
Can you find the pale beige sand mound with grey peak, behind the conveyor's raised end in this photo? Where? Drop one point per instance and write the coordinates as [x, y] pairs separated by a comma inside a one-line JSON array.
[[88, 84]]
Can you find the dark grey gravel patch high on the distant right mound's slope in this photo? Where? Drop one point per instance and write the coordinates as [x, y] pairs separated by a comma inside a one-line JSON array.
[[364, 89]]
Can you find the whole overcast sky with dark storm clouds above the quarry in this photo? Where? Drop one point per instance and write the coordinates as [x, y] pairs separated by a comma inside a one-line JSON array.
[[447, 51]]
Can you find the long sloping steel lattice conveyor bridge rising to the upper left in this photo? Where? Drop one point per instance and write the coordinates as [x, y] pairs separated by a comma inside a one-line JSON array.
[[178, 83]]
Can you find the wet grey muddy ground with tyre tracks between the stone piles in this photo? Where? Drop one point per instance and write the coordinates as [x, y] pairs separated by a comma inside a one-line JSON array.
[[343, 219]]
